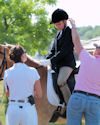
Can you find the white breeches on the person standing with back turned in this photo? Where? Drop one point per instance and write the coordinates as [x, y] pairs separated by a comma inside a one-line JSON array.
[[25, 115]]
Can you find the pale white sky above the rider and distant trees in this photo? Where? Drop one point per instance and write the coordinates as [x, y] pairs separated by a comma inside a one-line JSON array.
[[84, 12]]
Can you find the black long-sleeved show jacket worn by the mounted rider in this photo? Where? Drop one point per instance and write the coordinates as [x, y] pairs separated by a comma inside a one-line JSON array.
[[62, 50]]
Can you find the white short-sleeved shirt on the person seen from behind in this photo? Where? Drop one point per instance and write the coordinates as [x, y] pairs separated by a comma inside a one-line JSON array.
[[20, 79]]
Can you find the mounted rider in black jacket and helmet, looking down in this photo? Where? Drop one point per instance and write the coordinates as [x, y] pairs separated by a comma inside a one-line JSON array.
[[61, 55]]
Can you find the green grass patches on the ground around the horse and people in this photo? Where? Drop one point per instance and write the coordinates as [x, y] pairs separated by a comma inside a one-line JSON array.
[[2, 109]]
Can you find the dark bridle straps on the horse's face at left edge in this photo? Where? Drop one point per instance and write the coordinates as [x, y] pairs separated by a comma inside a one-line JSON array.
[[3, 64]]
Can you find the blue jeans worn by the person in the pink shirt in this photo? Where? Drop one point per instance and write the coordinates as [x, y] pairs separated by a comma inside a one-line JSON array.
[[80, 104]]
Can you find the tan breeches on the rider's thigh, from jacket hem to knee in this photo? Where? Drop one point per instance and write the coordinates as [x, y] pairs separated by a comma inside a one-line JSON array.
[[64, 74]]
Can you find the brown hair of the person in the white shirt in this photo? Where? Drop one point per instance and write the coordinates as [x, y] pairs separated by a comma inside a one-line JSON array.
[[16, 53]]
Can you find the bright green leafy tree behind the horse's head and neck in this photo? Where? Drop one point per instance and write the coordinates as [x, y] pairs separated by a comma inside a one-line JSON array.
[[16, 25]]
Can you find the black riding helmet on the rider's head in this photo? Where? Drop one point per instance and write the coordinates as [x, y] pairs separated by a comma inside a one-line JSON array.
[[58, 15]]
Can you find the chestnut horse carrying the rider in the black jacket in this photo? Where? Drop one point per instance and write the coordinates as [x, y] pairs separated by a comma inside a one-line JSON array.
[[44, 108]]
